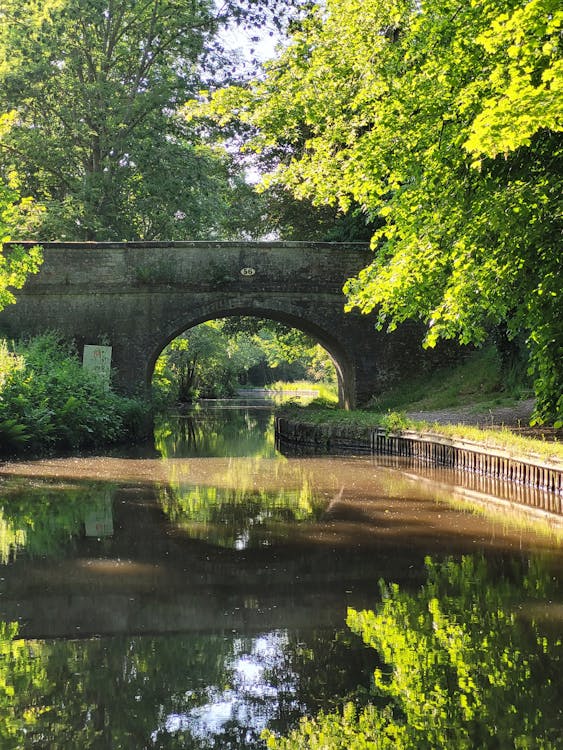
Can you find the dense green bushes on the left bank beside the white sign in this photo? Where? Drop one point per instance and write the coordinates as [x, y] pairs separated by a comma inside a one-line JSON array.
[[48, 401]]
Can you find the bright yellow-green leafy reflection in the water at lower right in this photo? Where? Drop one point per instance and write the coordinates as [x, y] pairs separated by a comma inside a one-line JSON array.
[[461, 668]]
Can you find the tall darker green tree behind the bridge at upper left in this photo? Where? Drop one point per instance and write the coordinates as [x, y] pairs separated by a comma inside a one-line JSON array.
[[94, 88]]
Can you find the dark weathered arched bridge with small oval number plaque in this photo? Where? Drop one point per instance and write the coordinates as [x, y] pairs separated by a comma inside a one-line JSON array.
[[138, 296]]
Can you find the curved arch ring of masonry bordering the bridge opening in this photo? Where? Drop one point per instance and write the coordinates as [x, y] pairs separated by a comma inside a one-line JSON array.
[[343, 366]]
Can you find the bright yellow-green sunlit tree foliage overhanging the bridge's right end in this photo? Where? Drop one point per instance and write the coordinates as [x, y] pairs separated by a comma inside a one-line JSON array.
[[443, 122]]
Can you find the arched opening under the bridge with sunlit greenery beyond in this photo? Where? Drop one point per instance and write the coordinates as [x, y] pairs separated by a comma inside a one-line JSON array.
[[244, 347]]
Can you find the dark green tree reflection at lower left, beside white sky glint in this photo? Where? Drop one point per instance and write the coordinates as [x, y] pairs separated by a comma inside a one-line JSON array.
[[113, 693]]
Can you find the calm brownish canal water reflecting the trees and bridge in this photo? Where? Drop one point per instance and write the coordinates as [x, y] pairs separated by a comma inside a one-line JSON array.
[[195, 591]]
